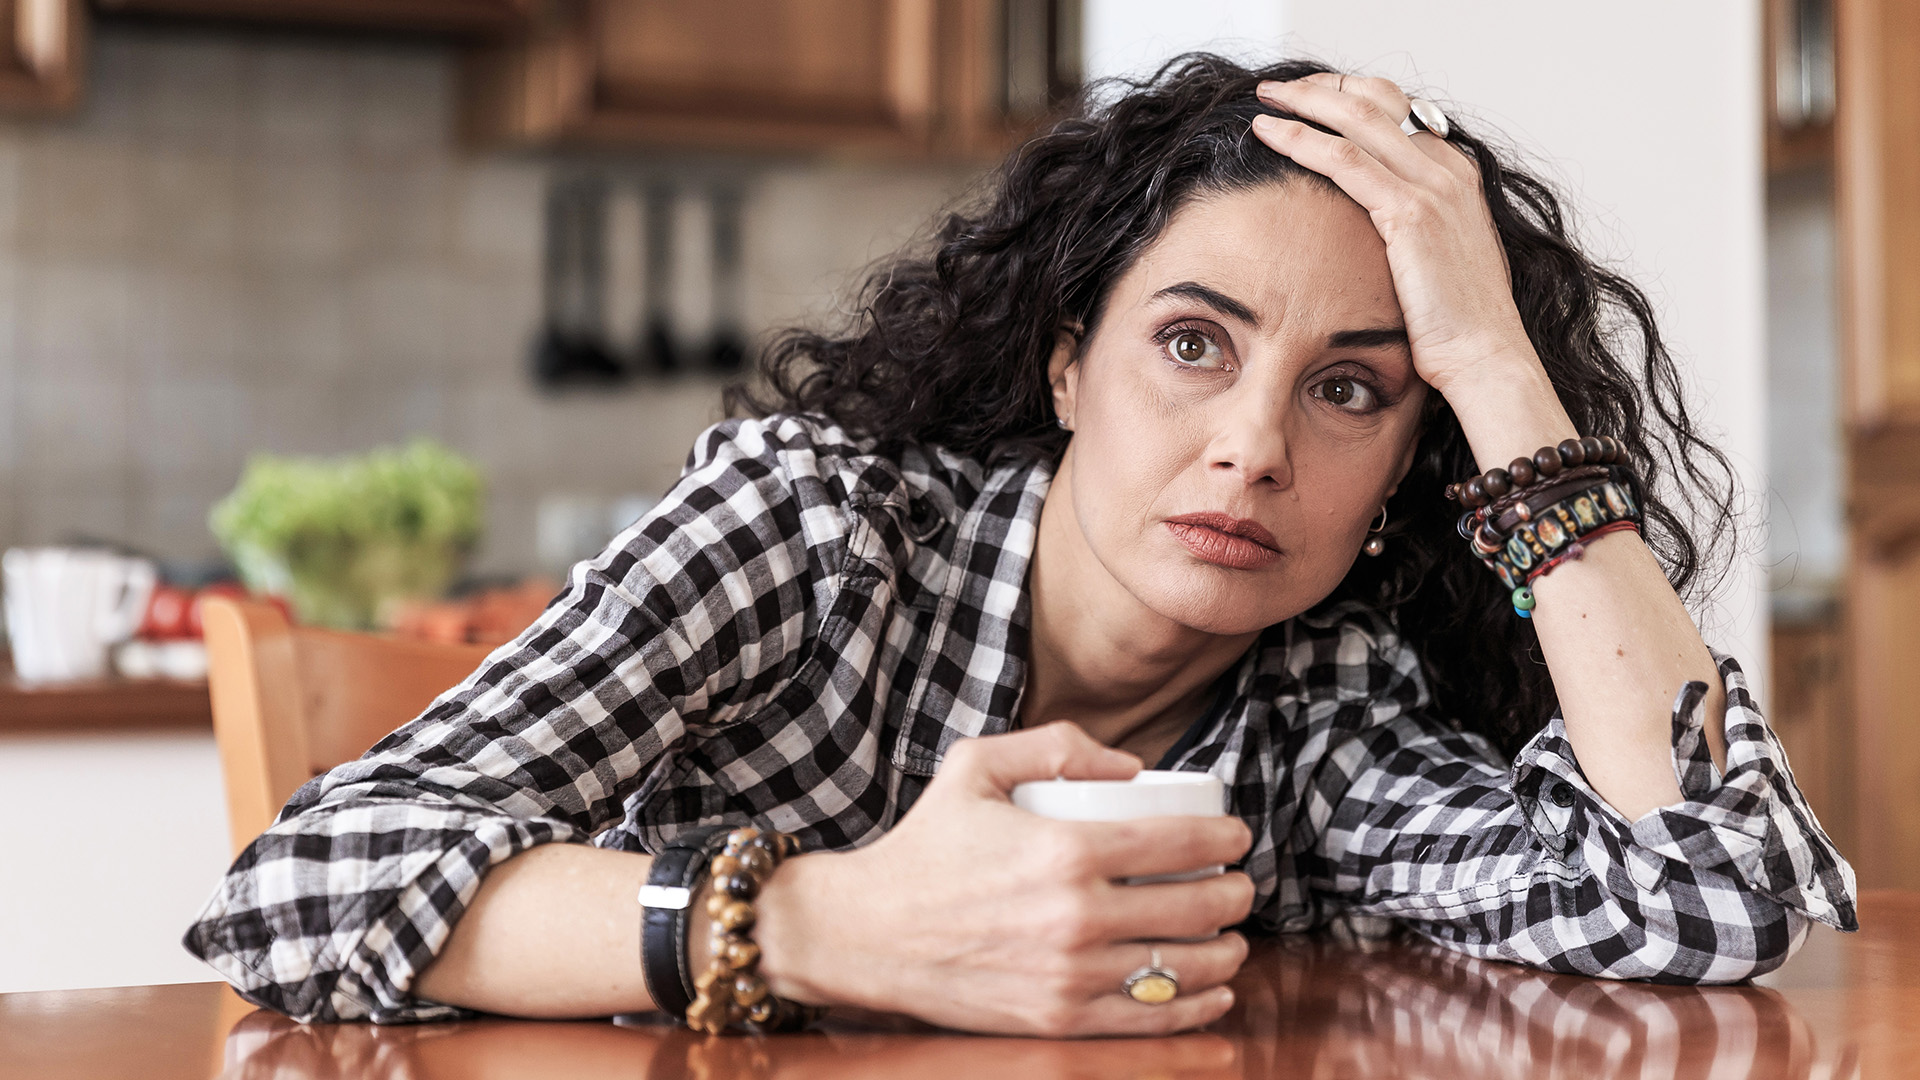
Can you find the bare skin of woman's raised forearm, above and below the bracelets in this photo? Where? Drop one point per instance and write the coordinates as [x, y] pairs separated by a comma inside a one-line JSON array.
[[1618, 641]]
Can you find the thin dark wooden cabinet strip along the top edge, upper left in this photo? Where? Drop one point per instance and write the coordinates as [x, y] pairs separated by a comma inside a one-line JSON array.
[[481, 18]]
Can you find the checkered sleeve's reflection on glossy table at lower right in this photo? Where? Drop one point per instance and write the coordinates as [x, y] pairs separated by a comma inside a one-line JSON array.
[[1414, 1012]]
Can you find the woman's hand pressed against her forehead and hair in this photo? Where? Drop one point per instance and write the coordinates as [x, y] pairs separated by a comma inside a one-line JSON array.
[[1426, 199]]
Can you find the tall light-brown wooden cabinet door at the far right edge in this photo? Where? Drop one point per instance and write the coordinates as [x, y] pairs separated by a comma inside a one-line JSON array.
[[1879, 195]]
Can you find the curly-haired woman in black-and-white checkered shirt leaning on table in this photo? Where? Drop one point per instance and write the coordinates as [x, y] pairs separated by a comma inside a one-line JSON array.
[[1092, 489]]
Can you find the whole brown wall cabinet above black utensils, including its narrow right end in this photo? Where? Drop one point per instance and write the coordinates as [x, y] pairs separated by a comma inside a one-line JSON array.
[[913, 78]]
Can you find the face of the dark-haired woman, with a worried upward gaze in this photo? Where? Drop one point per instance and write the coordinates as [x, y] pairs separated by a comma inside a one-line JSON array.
[[1241, 410]]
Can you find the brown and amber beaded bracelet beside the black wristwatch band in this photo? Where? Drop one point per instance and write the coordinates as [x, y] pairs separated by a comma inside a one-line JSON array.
[[731, 991]]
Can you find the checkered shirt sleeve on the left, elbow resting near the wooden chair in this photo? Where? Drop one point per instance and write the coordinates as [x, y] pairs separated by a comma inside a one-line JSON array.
[[350, 895]]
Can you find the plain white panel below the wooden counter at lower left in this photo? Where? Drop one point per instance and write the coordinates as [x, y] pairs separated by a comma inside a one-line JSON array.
[[112, 845]]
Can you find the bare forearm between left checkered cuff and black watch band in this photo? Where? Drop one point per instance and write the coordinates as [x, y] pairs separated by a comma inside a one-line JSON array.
[[554, 933]]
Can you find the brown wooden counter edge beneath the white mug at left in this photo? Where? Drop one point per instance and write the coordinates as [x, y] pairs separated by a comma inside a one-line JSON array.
[[105, 704]]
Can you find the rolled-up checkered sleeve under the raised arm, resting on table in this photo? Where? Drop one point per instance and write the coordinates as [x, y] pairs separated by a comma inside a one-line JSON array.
[[1529, 864]]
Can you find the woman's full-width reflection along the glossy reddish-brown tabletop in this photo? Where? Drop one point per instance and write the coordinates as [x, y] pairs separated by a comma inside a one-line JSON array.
[[1308, 1008]]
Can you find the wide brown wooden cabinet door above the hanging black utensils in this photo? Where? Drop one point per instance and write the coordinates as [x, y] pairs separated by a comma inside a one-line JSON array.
[[702, 74]]
